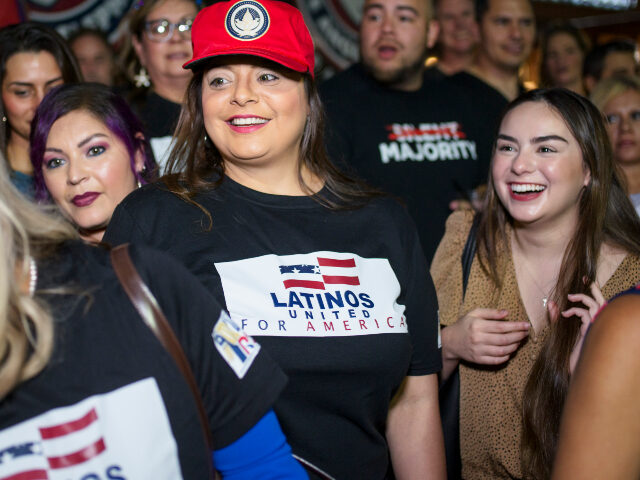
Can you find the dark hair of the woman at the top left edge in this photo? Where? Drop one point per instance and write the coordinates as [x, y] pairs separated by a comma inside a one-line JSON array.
[[34, 37]]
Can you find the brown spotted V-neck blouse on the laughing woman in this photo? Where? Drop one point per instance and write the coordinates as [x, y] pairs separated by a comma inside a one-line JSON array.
[[491, 397]]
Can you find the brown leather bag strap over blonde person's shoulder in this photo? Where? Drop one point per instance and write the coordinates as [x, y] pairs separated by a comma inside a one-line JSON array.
[[148, 308]]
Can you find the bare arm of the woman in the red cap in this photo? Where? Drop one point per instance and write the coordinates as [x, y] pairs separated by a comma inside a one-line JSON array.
[[414, 431]]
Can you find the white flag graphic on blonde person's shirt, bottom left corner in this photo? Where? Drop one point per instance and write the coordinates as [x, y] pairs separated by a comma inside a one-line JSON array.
[[120, 435]]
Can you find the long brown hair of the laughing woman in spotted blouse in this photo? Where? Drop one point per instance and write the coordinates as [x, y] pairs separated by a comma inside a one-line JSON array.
[[606, 215]]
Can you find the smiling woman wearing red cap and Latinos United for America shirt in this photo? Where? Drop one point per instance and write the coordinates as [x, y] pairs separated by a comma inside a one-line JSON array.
[[329, 275]]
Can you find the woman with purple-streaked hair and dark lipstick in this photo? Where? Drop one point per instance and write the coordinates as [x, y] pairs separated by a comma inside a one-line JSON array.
[[88, 153]]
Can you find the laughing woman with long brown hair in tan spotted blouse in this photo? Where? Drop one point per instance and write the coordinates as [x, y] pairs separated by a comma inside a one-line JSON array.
[[557, 235]]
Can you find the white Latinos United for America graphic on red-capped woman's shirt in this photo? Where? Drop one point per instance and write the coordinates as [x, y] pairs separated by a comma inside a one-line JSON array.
[[318, 294]]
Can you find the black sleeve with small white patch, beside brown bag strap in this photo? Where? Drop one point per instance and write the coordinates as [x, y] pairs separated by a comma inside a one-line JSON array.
[[238, 380]]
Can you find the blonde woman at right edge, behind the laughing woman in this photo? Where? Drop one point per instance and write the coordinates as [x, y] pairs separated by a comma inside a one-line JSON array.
[[619, 100]]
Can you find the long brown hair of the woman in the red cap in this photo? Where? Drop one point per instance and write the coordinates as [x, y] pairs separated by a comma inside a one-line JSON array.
[[194, 161]]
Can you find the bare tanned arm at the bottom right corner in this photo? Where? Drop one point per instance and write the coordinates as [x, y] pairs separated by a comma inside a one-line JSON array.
[[600, 429]]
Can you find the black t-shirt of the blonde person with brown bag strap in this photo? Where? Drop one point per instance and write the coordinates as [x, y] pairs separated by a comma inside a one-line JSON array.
[[111, 403]]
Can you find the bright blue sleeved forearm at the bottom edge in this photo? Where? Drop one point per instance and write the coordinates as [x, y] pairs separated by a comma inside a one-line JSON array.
[[262, 452]]
